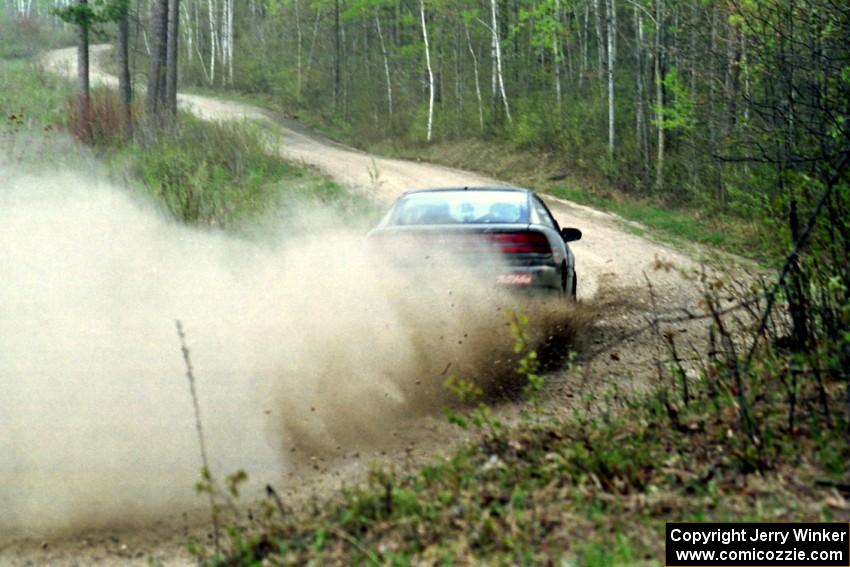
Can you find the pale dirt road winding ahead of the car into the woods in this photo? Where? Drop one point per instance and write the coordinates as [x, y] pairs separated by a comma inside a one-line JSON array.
[[608, 253]]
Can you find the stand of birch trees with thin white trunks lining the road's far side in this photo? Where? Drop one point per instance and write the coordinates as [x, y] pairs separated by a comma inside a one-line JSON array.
[[355, 65]]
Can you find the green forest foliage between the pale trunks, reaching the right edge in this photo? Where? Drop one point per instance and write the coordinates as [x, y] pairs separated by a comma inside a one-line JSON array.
[[720, 106]]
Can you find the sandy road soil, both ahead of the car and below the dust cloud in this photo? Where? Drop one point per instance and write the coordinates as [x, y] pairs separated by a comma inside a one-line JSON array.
[[613, 264]]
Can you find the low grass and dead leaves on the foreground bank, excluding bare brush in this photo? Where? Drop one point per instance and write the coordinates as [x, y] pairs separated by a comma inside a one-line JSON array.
[[592, 492]]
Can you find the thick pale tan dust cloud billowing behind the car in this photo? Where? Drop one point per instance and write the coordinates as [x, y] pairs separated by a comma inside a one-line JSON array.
[[311, 341]]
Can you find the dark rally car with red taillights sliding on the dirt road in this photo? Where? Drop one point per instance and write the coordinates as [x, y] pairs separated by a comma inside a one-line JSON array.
[[505, 233]]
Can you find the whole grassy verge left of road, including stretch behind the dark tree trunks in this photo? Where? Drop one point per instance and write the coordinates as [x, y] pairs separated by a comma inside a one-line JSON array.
[[219, 175]]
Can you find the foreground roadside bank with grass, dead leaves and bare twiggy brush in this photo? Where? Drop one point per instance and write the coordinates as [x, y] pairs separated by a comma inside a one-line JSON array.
[[720, 437]]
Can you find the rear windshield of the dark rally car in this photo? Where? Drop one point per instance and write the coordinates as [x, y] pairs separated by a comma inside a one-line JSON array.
[[461, 207]]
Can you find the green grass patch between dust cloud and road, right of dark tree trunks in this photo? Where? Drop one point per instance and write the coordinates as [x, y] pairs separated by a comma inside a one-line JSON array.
[[223, 175]]
